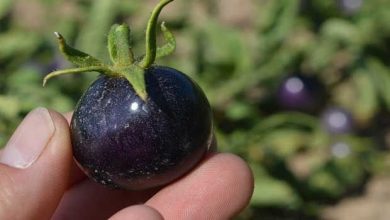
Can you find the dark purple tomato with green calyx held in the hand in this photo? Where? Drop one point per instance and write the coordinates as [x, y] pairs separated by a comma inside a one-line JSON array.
[[139, 125]]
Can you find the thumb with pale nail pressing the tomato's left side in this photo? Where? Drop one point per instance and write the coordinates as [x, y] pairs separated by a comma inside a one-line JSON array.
[[35, 166]]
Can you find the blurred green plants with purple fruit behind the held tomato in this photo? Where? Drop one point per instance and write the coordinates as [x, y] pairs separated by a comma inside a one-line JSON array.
[[300, 89]]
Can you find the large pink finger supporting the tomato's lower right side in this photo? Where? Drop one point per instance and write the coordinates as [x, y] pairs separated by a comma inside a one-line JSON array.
[[219, 188]]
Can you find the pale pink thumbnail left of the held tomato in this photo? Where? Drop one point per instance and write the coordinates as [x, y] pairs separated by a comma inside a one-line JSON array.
[[29, 139]]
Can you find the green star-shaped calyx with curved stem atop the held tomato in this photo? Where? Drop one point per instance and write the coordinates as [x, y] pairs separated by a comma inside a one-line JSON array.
[[123, 62]]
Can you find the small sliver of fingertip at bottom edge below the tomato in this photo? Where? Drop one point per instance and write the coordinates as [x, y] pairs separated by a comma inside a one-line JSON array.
[[138, 212]]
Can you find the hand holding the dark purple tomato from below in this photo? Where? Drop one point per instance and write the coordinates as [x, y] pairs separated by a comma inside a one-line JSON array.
[[39, 180]]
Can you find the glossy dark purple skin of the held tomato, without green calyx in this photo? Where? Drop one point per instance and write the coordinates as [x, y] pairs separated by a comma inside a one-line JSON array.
[[122, 141]]
